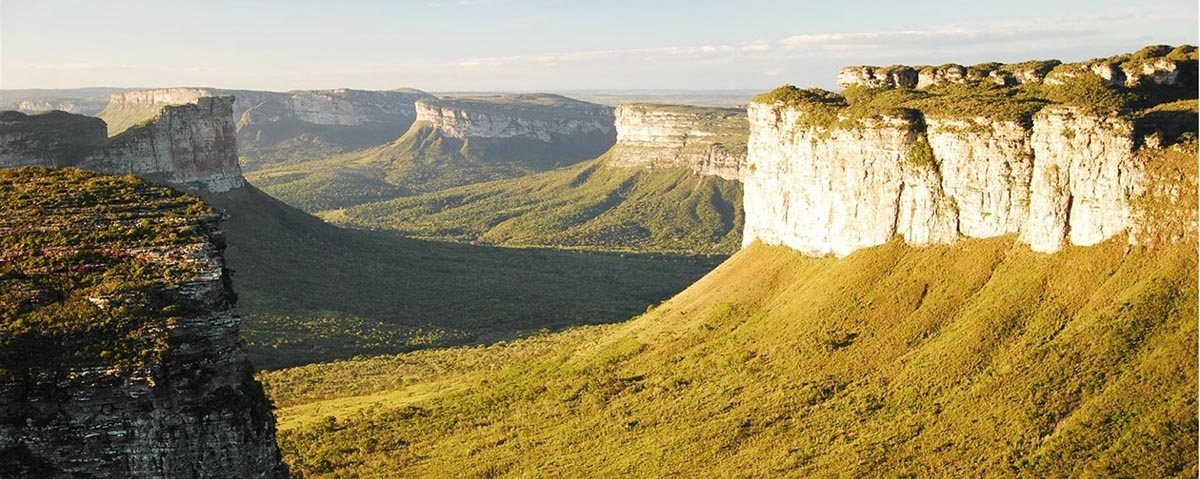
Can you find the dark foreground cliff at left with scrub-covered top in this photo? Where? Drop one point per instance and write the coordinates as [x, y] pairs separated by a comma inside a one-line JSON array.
[[119, 354]]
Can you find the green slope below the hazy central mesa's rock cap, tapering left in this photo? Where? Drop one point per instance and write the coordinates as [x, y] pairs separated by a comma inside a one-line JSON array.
[[419, 161]]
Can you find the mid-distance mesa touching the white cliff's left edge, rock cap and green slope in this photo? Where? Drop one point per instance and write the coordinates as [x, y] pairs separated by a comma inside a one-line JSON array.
[[669, 184]]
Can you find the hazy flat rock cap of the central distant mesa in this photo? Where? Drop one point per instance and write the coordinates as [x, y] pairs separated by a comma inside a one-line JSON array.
[[542, 118]]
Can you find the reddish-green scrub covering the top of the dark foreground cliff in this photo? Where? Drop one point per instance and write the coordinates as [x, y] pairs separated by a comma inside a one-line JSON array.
[[87, 276]]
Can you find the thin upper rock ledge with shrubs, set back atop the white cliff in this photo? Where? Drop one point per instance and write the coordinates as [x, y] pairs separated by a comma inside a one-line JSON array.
[[1159, 65]]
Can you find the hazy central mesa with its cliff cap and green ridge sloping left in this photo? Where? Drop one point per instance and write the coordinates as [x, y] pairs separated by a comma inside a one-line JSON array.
[[454, 142]]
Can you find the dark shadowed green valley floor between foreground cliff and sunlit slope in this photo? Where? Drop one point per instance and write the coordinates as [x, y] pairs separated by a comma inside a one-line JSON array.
[[311, 292]]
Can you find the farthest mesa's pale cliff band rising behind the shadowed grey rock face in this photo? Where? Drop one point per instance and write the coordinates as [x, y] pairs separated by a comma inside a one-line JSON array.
[[341, 107]]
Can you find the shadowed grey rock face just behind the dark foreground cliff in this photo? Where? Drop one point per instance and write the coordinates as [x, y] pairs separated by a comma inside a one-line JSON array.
[[190, 146]]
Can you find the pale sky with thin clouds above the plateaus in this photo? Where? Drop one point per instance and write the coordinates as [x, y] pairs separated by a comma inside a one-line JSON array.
[[549, 46]]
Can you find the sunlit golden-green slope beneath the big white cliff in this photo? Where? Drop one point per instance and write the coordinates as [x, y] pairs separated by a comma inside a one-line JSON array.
[[980, 360]]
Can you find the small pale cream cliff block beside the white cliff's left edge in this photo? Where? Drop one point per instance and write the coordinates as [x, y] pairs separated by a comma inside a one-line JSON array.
[[709, 141]]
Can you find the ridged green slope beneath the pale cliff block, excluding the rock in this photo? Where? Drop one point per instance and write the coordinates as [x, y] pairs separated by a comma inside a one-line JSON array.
[[586, 206]]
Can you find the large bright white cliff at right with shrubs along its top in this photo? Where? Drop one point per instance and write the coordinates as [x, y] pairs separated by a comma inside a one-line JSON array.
[[1061, 165]]
